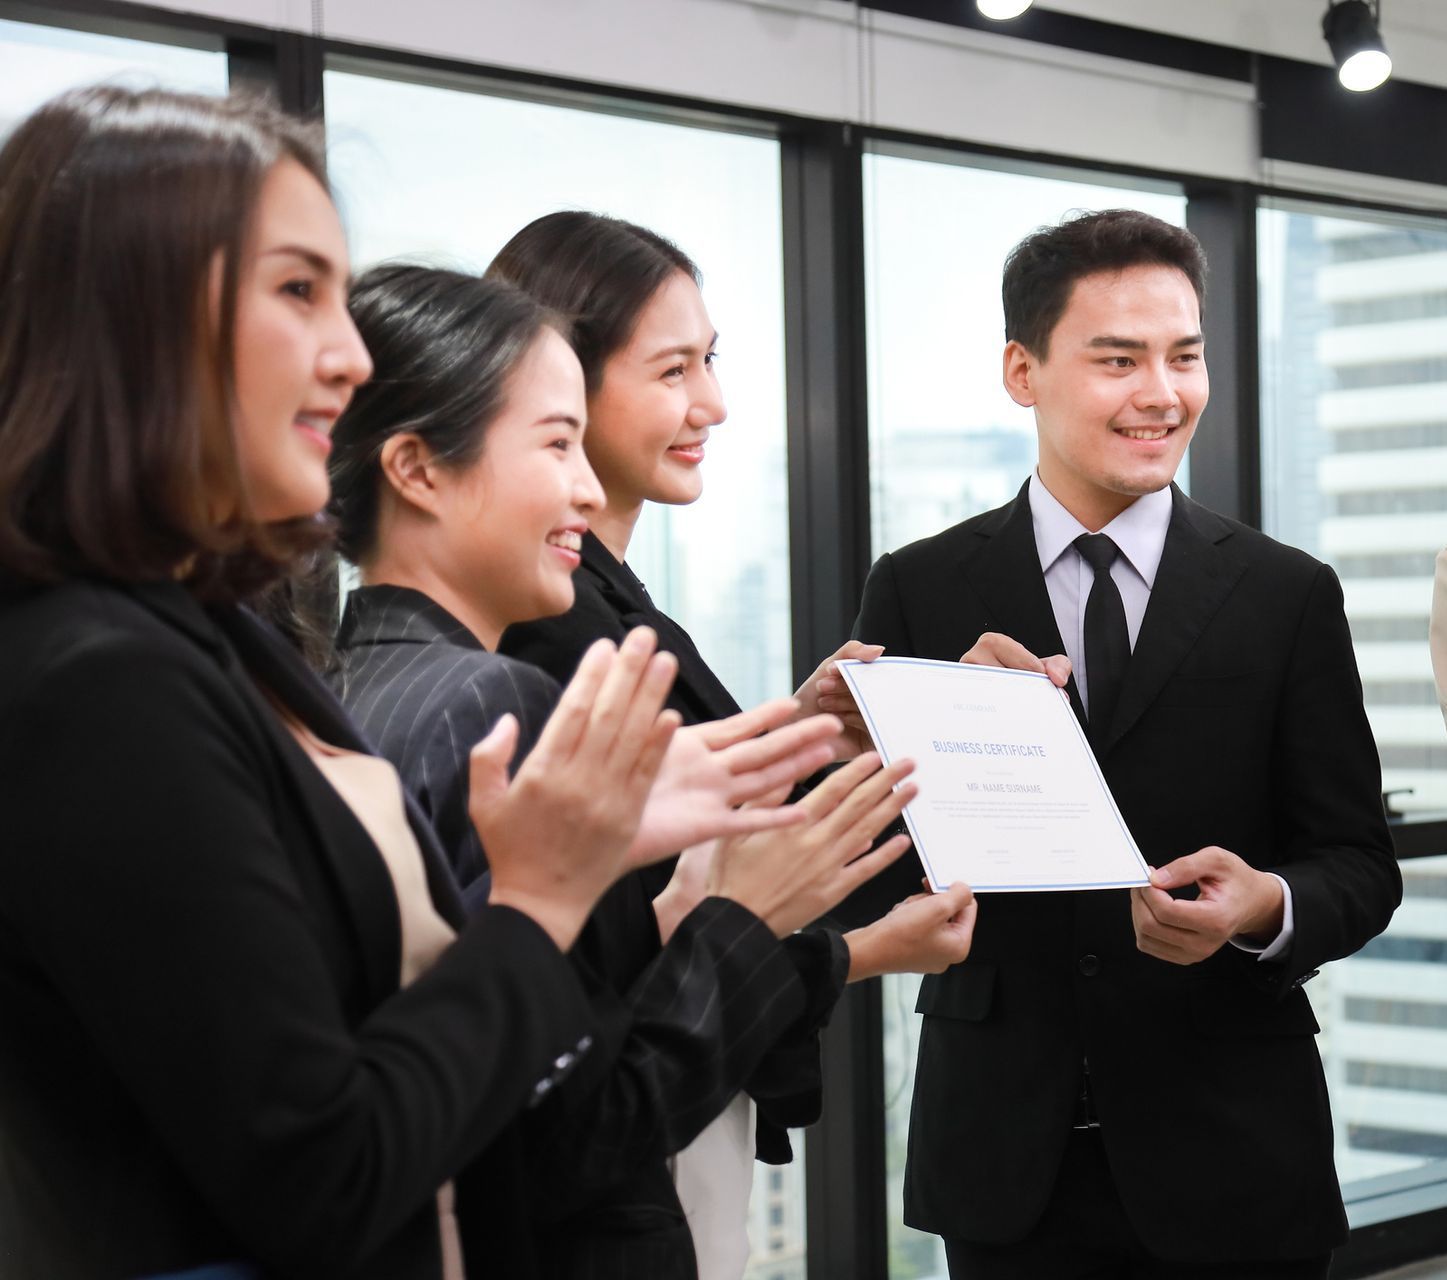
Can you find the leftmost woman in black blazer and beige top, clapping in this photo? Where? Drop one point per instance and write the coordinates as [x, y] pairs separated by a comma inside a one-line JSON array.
[[209, 1049]]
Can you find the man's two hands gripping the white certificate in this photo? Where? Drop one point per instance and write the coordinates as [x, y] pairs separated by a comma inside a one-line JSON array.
[[1235, 902]]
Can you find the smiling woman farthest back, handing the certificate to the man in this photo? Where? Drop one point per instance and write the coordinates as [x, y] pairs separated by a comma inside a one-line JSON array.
[[646, 342]]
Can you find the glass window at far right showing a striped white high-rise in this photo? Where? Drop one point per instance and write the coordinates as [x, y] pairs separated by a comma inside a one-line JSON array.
[[1355, 471]]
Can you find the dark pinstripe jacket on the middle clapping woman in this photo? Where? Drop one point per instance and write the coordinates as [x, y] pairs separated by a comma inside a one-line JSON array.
[[685, 1026]]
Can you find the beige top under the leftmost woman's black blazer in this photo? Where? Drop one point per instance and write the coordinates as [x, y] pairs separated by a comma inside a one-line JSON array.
[[374, 793]]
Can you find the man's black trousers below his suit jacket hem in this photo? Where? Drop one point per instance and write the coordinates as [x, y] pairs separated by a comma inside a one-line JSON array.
[[1085, 1236]]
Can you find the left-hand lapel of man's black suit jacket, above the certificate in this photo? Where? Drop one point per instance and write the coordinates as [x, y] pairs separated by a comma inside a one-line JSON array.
[[1006, 576]]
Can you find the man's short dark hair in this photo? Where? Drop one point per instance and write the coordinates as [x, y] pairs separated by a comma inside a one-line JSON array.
[[1043, 270]]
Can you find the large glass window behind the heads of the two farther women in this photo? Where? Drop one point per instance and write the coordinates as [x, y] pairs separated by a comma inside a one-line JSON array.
[[448, 176]]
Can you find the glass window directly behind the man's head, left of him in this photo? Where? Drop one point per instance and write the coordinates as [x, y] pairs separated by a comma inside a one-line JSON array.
[[946, 440]]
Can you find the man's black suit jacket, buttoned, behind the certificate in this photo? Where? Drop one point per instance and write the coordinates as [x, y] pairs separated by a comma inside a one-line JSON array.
[[1241, 725]]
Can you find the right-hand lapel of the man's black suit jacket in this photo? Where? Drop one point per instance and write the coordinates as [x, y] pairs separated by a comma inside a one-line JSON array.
[[1192, 585]]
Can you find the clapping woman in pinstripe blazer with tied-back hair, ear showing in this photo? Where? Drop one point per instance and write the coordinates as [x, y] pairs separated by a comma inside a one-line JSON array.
[[464, 492]]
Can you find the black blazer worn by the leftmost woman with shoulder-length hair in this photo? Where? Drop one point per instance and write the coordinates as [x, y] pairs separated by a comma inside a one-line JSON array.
[[205, 1054]]
